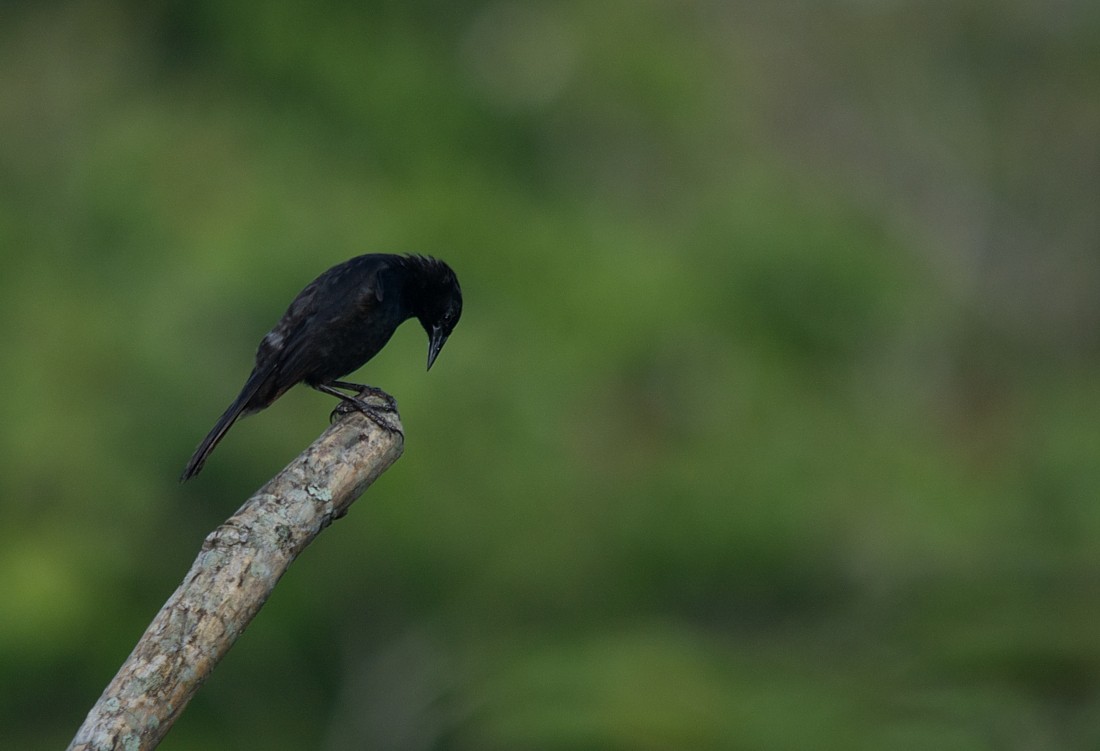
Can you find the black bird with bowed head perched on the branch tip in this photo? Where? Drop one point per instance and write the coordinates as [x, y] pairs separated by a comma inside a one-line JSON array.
[[338, 323]]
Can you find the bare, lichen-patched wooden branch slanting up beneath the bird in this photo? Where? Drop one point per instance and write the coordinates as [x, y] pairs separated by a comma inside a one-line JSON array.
[[232, 579]]
